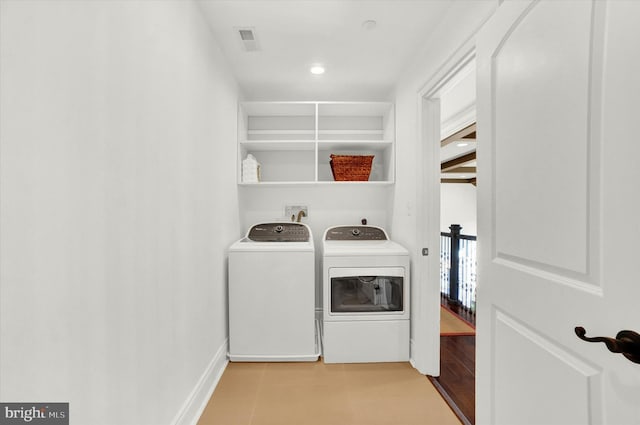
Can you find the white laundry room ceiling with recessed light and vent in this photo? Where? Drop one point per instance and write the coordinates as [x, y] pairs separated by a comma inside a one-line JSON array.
[[361, 63]]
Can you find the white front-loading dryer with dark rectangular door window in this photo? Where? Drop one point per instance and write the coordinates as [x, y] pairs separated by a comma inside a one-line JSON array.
[[365, 296]]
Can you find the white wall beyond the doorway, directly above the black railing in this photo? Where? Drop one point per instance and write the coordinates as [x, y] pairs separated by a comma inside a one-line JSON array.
[[458, 206]]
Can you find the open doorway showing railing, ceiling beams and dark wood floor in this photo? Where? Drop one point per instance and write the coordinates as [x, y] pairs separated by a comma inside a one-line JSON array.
[[449, 114]]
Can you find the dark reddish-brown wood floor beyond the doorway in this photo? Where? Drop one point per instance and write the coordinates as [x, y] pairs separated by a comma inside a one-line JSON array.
[[457, 377]]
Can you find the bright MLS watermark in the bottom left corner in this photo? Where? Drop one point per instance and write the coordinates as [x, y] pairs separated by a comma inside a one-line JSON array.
[[34, 413]]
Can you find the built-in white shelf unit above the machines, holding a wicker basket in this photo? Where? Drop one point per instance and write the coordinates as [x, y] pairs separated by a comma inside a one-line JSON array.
[[293, 141]]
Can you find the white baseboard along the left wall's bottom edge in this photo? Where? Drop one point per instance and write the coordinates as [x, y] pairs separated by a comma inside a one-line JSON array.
[[195, 404]]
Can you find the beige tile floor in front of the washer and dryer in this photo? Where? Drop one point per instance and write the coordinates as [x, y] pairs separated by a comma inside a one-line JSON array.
[[325, 394]]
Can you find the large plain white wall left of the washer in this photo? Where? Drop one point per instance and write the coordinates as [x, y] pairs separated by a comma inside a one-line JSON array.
[[118, 201]]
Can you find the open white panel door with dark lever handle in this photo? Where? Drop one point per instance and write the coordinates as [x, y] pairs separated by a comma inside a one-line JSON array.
[[558, 211]]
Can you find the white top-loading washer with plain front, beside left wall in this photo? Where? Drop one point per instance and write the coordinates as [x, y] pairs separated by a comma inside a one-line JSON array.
[[272, 295]]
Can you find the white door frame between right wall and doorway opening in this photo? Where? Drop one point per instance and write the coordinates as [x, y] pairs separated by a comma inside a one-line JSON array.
[[427, 291]]
